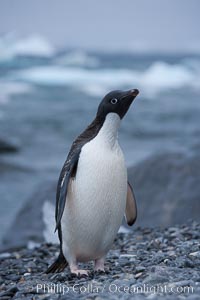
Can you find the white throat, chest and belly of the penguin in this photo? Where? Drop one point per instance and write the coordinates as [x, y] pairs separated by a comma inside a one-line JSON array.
[[95, 206]]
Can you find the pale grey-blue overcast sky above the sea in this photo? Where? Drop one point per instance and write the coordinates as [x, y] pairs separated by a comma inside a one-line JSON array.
[[167, 25]]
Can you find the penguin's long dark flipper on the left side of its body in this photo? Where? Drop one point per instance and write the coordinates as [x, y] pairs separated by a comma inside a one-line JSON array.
[[68, 171]]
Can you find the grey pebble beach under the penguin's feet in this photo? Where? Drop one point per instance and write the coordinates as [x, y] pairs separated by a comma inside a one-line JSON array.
[[169, 256]]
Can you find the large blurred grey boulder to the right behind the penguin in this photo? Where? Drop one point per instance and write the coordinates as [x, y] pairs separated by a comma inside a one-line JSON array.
[[167, 189]]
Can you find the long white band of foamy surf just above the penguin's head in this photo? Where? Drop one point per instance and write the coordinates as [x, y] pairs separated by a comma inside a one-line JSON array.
[[158, 77]]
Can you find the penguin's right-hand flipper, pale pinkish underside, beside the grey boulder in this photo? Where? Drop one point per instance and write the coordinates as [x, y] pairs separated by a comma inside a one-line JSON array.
[[131, 207]]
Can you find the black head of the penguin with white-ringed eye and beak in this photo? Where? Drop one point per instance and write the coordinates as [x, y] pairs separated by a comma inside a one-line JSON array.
[[116, 102]]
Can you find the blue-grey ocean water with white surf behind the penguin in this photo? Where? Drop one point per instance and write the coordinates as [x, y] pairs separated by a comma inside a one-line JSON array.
[[47, 98]]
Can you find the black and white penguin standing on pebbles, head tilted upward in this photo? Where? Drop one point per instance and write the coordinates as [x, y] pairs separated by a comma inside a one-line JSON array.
[[93, 192]]
